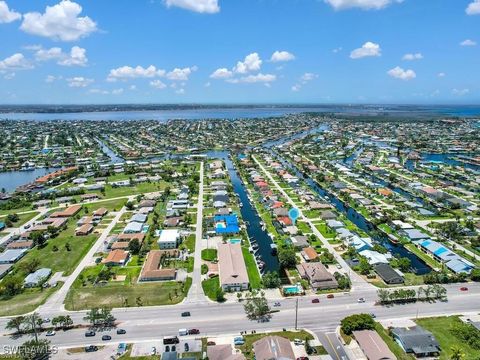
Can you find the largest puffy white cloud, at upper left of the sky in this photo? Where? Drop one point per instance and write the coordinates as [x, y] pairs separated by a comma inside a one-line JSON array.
[[59, 22]]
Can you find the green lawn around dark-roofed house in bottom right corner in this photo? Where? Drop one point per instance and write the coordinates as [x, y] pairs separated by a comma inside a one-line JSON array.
[[441, 329]]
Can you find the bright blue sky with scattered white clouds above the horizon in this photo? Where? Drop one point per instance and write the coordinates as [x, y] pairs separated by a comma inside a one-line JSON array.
[[240, 51]]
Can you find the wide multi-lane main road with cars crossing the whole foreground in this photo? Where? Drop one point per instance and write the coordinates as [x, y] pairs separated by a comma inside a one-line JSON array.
[[150, 323]]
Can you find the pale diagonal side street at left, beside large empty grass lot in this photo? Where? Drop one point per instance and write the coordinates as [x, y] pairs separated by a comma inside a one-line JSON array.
[[56, 301]]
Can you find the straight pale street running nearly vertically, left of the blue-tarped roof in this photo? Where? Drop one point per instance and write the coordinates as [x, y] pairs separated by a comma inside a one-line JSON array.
[[195, 295]]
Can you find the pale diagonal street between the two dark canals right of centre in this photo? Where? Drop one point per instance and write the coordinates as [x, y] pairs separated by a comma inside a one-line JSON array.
[[357, 281]]
